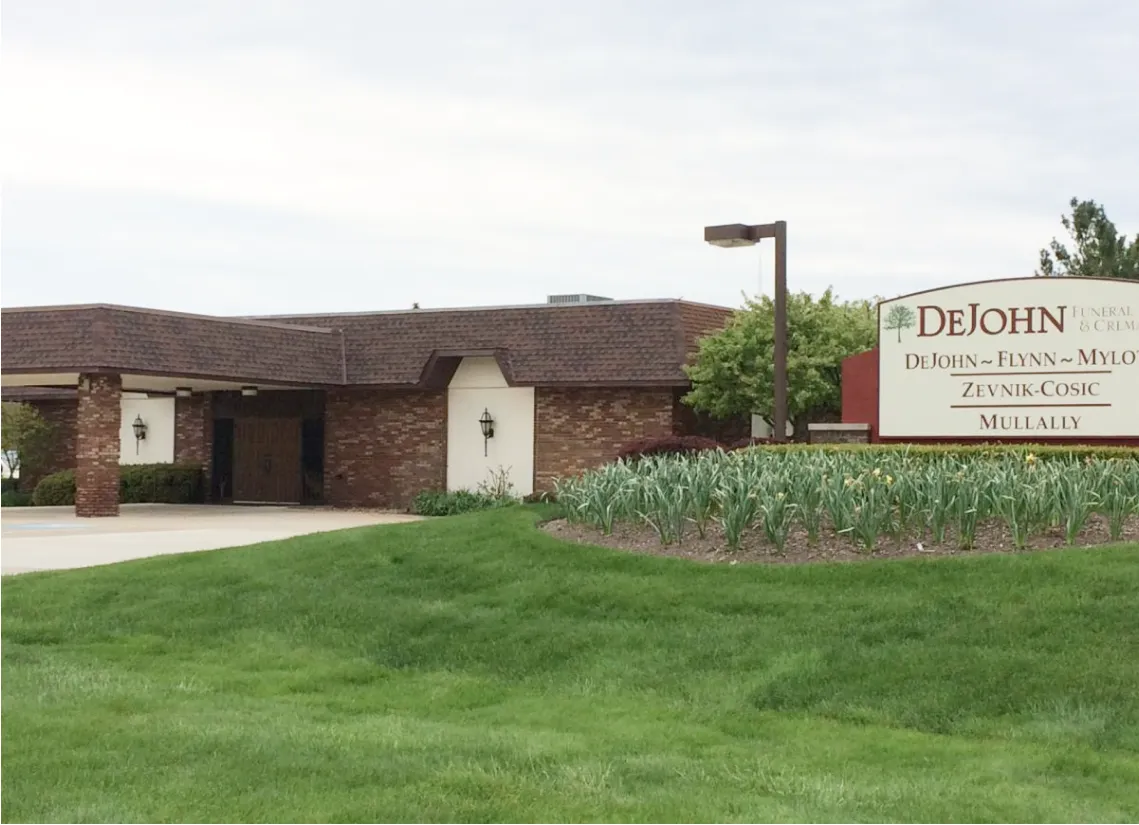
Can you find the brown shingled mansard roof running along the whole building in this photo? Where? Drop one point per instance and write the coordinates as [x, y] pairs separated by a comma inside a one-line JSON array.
[[607, 344]]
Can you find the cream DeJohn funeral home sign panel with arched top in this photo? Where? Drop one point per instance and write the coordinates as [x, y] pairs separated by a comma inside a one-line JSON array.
[[1028, 358]]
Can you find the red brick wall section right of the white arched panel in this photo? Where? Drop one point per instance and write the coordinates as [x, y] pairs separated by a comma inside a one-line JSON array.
[[579, 429]]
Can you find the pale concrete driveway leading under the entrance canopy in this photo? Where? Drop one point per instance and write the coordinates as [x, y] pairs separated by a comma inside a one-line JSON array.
[[53, 538]]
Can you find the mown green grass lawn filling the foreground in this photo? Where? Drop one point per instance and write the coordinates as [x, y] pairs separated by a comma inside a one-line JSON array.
[[476, 669]]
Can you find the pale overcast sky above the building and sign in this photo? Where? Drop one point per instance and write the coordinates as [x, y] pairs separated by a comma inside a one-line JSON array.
[[260, 157]]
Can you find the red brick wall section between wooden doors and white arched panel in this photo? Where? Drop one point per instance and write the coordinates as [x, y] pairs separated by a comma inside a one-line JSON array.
[[383, 447]]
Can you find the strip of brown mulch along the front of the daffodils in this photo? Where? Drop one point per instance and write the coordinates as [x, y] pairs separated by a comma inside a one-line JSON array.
[[991, 537]]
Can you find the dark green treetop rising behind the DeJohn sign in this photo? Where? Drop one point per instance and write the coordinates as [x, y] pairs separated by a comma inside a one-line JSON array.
[[1099, 250]]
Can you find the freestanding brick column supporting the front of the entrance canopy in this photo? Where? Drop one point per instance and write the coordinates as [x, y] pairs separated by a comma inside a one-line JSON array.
[[97, 445]]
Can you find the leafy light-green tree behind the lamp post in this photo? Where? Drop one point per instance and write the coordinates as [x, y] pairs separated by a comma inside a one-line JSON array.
[[734, 371]]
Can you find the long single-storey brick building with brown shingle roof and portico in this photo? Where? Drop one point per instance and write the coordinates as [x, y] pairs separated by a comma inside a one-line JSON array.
[[359, 410]]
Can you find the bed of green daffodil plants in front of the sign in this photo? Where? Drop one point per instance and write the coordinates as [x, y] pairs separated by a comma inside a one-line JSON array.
[[861, 502]]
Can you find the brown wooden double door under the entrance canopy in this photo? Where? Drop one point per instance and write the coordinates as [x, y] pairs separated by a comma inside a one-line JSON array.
[[267, 461]]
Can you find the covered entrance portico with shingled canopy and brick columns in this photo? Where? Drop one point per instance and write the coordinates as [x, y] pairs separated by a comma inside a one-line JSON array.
[[247, 398]]
